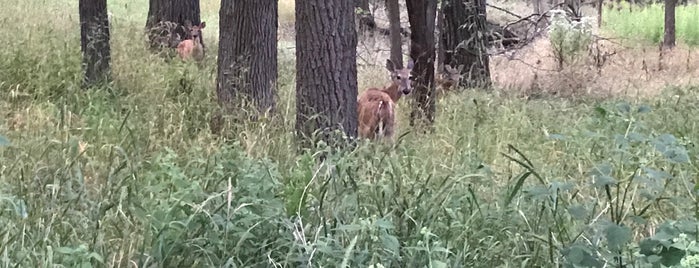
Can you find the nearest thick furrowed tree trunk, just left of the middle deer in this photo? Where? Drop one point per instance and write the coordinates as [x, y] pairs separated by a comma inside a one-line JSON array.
[[326, 69]]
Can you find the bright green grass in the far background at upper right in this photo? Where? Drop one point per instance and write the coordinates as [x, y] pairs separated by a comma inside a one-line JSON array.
[[647, 23]]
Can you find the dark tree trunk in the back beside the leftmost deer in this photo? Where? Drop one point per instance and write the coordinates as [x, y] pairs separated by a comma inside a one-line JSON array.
[[174, 14]]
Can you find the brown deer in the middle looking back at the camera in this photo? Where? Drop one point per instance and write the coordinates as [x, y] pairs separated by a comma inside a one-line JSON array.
[[376, 107]]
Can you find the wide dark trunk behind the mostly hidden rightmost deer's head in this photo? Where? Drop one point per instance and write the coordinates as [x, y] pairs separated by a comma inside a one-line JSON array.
[[465, 41]]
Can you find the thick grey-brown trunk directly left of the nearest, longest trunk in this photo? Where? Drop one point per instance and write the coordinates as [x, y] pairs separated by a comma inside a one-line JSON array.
[[247, 55]]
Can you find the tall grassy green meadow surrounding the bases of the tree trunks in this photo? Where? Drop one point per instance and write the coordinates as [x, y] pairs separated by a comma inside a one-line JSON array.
[[128, 175]]
